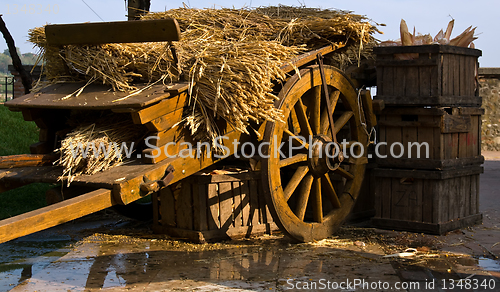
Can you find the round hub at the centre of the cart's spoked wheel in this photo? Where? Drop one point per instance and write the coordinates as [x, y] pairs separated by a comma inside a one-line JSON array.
[[324, 156]]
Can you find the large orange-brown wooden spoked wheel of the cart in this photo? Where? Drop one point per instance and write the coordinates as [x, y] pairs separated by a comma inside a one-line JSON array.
[[309, 189]]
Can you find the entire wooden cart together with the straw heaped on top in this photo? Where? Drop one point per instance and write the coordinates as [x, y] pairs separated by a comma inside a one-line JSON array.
[[280, 97]]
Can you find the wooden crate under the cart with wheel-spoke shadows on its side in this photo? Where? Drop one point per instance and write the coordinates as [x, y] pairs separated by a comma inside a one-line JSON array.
[[213, 207]]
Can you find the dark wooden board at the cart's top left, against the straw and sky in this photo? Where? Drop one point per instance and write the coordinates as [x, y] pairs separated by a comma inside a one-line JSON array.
[[138, 31]]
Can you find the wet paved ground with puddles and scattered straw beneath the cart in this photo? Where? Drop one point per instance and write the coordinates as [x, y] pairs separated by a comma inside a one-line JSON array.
[[107, 252]]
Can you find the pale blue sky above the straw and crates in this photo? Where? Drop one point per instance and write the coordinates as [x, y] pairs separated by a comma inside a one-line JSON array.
[[426, 16]]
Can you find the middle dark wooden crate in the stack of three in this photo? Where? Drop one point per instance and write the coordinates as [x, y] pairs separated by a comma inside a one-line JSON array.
[[453, 135]]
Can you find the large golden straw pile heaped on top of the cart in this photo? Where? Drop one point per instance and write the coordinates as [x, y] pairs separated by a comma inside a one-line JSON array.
[[233, 55]]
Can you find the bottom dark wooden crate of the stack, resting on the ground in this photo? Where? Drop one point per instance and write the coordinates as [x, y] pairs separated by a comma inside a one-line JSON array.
[[427, 201]]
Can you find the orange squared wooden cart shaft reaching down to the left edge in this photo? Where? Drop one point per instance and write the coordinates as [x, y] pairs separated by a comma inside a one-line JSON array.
[[56, 214]]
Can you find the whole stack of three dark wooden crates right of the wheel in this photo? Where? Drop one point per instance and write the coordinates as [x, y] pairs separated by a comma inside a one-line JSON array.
[[431, 96]]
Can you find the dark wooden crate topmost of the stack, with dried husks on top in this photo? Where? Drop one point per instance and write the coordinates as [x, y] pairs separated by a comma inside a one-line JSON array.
[[438, 76]]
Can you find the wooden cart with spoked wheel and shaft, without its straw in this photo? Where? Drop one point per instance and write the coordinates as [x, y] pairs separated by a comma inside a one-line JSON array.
[[308, 191]]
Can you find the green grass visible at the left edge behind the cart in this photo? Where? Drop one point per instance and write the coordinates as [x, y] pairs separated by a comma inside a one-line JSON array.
[[16, 136]]
